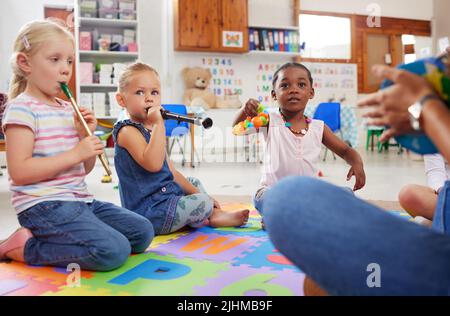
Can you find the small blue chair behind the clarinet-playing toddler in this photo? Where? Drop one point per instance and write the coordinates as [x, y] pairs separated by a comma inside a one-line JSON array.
[[176, 130]]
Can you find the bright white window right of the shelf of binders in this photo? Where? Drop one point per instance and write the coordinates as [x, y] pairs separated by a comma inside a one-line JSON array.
[[326, 37]]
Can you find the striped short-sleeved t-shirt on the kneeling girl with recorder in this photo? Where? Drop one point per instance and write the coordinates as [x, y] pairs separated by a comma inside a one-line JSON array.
[[54, 133]]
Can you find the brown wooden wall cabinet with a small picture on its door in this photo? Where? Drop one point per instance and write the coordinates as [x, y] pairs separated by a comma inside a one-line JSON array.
[[200, 25]]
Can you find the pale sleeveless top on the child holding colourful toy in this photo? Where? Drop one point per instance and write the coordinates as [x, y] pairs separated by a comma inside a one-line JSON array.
[[289, 155]]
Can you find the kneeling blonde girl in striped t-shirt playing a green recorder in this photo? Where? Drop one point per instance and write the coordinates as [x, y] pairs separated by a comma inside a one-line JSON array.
[[49, 156]]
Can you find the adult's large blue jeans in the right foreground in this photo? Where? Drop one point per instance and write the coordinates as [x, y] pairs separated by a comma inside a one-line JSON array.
[[334, 238]]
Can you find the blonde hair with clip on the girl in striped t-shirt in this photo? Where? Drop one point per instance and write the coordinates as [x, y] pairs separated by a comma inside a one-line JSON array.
[[32, 37]]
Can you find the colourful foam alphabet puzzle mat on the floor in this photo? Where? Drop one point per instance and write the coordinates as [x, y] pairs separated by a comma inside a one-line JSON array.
[[203, 262]]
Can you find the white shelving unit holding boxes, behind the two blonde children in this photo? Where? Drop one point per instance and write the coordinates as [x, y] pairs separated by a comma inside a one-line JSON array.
[[103, 26]]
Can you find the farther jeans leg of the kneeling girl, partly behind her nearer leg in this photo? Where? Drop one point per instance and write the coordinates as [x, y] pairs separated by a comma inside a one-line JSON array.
[[136, 228]]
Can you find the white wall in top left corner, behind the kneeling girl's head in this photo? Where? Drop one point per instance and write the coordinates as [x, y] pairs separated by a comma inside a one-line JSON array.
[[13, 15]]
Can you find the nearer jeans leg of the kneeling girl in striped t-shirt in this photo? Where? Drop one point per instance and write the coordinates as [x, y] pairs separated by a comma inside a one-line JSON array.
[[69, 232]]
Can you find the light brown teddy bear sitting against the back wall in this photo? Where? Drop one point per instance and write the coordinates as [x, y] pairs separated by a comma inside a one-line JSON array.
[[197, 80]]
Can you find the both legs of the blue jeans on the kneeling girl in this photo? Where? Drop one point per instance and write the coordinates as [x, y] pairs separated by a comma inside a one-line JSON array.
[[98, 236]]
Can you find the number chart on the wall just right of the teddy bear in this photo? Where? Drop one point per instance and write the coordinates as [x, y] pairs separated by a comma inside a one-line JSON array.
[[225, 80]]
